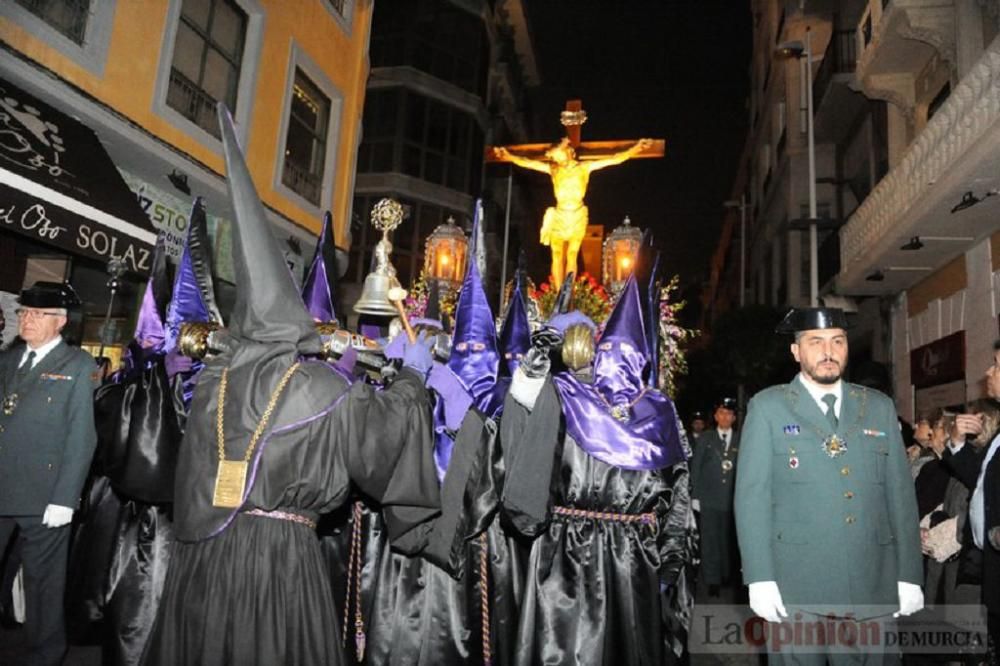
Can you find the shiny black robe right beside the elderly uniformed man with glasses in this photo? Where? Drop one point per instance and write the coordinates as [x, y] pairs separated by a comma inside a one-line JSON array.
[[121, 549]]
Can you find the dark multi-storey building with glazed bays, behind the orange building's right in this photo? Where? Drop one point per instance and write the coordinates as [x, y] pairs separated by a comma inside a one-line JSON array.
[[448, 78]]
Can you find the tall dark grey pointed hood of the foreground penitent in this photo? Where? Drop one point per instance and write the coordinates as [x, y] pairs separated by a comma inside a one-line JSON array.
[[268, 306]]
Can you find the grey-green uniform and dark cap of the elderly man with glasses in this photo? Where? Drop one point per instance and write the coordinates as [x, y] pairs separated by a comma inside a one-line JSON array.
[[47, 440]]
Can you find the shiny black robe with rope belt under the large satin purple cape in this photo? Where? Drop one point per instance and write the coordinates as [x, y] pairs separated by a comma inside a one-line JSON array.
[[597, 591]]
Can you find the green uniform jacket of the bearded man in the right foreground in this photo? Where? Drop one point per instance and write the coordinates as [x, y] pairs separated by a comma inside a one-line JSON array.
[[835, 533]]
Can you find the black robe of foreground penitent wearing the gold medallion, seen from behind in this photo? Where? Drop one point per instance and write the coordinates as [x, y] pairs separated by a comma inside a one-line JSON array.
[[254, 590]]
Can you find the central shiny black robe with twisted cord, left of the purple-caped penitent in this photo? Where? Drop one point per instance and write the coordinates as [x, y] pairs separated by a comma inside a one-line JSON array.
[[432, 610]]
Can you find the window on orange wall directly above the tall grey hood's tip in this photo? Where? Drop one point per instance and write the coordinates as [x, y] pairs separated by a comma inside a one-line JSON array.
[[208, 52]]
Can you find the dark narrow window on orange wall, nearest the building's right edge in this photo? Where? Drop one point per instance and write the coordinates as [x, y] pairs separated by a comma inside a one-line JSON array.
[[305, 143]]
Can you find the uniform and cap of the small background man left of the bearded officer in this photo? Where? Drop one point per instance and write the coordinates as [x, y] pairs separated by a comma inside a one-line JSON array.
[[713, 478]]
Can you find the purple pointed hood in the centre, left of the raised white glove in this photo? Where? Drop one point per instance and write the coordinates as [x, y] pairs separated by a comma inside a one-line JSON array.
[[474, 356]]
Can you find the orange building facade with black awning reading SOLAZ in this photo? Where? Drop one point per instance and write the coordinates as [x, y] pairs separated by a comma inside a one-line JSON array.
[[144, 77]]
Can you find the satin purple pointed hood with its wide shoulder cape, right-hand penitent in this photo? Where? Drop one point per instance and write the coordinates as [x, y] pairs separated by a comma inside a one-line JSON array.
[[618, 419]]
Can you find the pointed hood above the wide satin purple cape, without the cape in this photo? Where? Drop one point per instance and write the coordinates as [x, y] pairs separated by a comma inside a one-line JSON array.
[[621, 362]]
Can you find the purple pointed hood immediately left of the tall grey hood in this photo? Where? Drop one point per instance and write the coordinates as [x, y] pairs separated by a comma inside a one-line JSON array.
[[188, 302]]
